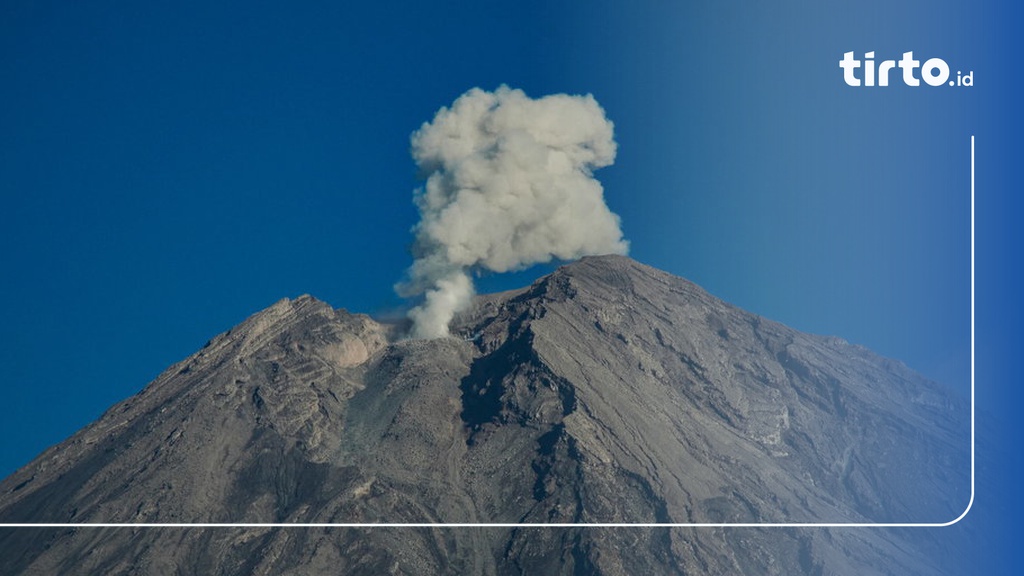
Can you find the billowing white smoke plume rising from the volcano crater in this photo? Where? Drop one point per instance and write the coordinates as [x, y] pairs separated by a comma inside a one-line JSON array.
[[508, 185]]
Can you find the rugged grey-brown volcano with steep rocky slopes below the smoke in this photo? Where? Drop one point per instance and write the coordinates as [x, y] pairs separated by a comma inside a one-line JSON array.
[[608, 392]]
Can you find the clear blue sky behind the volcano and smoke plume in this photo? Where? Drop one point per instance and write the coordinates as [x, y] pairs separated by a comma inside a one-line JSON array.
[[166, 172]]
